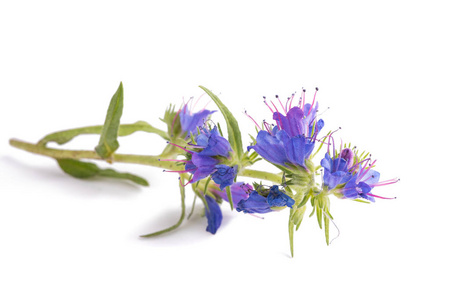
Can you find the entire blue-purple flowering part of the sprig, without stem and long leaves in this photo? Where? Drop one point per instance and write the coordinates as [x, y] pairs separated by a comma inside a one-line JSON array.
[[288, 144]]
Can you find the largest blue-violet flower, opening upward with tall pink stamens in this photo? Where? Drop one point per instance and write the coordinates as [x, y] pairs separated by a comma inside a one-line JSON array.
[[292, 140]]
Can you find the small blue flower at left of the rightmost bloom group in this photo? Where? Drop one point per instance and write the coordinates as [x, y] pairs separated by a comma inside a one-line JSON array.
[[335, 171]]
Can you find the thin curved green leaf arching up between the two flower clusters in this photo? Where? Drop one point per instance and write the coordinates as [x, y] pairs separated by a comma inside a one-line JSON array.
[[234, 135]]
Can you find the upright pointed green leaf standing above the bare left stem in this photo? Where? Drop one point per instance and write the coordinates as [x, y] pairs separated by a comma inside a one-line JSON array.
[[108, 140]]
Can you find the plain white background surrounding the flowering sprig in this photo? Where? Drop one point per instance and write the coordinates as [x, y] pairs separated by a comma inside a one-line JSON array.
[[382, 68]]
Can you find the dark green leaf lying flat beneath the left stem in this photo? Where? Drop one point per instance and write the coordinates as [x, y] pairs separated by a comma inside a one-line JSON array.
[[80, 169]]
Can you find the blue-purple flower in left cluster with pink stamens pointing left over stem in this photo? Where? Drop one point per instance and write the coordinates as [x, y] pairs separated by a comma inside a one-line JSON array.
[[208, 154]]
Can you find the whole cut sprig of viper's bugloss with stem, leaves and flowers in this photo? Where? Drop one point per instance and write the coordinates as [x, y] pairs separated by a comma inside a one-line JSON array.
[[212, 164]]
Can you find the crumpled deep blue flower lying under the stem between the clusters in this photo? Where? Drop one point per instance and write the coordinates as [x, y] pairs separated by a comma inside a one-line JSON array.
[[265, 200]]
